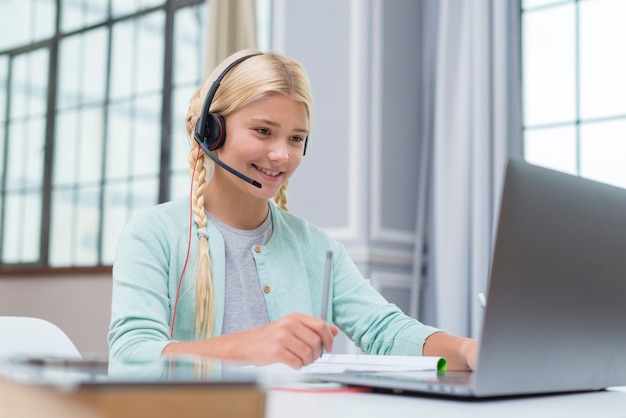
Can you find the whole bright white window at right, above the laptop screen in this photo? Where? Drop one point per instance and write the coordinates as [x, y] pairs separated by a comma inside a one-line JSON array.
[[574, 87]]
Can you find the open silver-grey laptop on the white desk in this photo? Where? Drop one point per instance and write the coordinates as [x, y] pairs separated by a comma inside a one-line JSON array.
[[555, 319]]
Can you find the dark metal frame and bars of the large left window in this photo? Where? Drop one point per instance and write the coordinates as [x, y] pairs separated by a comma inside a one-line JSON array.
[[42, 266]]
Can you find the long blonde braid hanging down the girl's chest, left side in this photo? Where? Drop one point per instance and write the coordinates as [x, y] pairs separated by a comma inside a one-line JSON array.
[[205, 307]]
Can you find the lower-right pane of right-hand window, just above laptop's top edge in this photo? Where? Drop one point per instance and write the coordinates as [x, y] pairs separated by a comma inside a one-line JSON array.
[[603, 148]]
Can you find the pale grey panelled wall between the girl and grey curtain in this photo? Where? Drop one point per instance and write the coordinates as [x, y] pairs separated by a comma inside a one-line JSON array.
[[359, 177]]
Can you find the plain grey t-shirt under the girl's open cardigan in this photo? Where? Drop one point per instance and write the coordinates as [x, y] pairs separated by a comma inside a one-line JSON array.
[[244, 304]]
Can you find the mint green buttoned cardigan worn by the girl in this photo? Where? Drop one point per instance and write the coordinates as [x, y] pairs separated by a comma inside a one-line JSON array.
[[150, 256]]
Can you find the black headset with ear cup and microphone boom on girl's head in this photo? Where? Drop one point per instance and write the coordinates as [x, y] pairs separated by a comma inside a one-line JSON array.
[[210, 132]]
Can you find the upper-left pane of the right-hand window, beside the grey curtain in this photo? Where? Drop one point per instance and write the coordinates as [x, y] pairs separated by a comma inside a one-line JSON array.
[[549, 65]]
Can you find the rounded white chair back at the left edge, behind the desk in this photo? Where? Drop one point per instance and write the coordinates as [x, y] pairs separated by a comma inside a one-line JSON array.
[[34, 337]]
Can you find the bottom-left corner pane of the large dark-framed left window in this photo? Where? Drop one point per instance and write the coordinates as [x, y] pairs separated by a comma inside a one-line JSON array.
[[22, 226]]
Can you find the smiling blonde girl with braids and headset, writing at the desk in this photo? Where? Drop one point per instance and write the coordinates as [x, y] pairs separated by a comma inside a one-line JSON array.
[[242, 281]]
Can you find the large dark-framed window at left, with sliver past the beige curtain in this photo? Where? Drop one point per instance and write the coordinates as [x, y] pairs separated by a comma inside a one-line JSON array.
[[92, 120]]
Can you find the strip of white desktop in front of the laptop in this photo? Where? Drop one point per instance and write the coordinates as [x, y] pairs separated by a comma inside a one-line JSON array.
[[286, 404]]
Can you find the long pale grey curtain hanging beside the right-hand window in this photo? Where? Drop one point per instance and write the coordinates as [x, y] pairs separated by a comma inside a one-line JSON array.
[[471, 125]]
